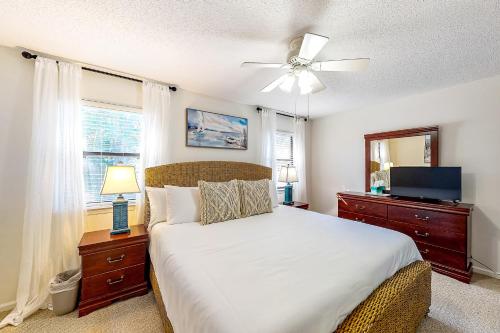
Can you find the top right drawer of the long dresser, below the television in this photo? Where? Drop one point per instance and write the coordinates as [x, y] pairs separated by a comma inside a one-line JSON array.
[[450, 222]]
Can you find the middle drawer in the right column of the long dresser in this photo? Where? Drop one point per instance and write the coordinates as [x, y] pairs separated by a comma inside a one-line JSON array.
[[433, 236]]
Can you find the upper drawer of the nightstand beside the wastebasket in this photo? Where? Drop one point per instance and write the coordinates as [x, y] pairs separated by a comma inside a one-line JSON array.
[[105, 261]]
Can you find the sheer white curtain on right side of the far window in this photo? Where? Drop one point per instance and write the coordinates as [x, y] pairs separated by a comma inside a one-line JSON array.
[[299, 159]]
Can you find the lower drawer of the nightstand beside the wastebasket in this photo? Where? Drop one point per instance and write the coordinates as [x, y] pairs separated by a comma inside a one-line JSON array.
[[103, 284]]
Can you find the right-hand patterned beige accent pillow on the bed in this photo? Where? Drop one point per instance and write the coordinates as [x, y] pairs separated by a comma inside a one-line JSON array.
[[255, 197]]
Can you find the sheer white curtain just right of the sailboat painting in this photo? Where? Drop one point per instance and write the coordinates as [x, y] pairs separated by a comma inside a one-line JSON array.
[[268, 130]]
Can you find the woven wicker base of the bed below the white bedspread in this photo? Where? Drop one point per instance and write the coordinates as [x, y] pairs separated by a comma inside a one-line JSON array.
[[397, 305]]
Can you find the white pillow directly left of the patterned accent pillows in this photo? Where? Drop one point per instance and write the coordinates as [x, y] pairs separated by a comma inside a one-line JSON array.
[[183, 204]]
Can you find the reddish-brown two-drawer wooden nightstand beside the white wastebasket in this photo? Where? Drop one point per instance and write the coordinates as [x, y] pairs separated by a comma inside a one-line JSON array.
[[113, 267]]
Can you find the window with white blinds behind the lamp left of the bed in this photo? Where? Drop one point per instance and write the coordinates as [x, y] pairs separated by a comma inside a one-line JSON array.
[[109, 137]]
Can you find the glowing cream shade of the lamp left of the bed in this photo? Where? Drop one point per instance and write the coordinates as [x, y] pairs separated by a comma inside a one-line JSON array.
[[120, 180]]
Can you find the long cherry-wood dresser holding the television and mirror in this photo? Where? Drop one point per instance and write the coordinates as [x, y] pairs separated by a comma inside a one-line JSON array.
[[442, 231]]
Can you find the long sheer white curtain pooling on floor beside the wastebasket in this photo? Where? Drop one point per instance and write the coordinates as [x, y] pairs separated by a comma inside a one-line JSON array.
[[53, 217]]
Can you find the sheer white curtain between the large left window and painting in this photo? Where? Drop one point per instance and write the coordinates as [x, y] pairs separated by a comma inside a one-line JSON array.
[[155, 132]]
